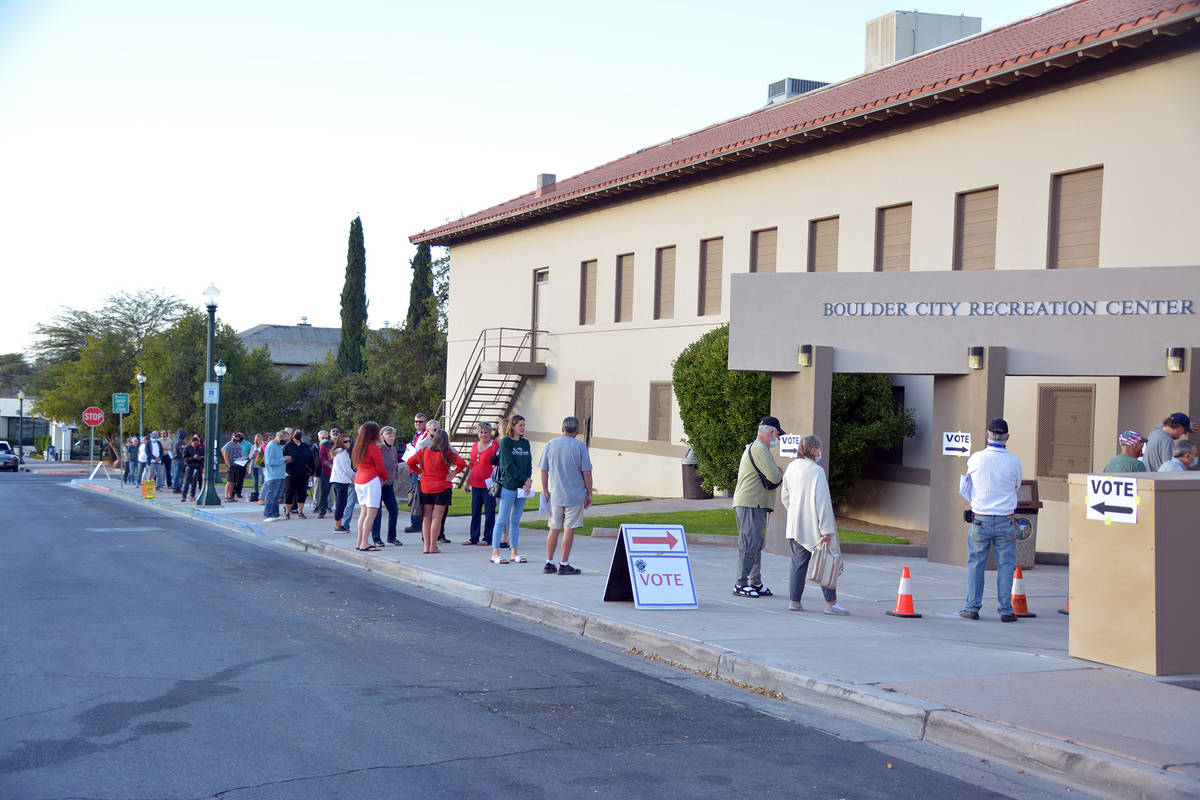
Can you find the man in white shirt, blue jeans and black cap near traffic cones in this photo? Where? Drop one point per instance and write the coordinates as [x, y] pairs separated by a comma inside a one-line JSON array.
[[994, 476]]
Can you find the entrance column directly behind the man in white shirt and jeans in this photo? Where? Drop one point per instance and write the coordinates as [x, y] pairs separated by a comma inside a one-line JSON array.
[[963, 404]]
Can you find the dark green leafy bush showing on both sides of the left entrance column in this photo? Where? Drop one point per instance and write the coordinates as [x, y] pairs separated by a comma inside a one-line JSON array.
[[722, 410]]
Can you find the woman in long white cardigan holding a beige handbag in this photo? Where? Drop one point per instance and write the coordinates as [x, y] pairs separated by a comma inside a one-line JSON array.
[[811, 521]]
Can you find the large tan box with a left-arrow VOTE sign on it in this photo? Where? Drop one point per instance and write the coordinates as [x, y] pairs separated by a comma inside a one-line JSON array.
[[1135, 545]]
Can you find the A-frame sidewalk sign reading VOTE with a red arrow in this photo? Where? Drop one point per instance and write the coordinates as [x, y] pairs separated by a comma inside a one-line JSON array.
[[651, 567]]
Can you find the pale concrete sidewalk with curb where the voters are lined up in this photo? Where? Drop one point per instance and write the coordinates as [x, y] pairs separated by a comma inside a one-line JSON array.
[[1007, 694]]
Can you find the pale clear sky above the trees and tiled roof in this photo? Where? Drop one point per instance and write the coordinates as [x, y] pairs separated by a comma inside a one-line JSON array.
[[170, 145]]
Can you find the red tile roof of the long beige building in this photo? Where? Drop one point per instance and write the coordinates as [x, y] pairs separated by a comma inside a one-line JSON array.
[[1058, 38]]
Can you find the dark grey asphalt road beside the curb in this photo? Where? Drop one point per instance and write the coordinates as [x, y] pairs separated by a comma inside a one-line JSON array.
[[146, 657]]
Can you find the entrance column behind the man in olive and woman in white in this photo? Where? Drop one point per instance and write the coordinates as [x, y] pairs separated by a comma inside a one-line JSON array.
[[802, 402]]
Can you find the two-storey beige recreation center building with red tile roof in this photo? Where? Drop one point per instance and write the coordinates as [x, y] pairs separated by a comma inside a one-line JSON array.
[[1031, 167]]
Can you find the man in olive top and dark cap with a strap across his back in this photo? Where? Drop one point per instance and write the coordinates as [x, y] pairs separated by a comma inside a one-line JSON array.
[[754, 498]]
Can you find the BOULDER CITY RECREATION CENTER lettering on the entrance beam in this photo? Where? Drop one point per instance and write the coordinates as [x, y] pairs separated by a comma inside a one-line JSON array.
[[1015, 309]]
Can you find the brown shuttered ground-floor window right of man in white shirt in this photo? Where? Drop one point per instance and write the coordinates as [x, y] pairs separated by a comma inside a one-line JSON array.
[[1065, 430]]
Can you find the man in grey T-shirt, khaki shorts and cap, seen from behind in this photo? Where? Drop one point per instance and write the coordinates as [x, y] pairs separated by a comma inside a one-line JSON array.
[[567, 488]]
